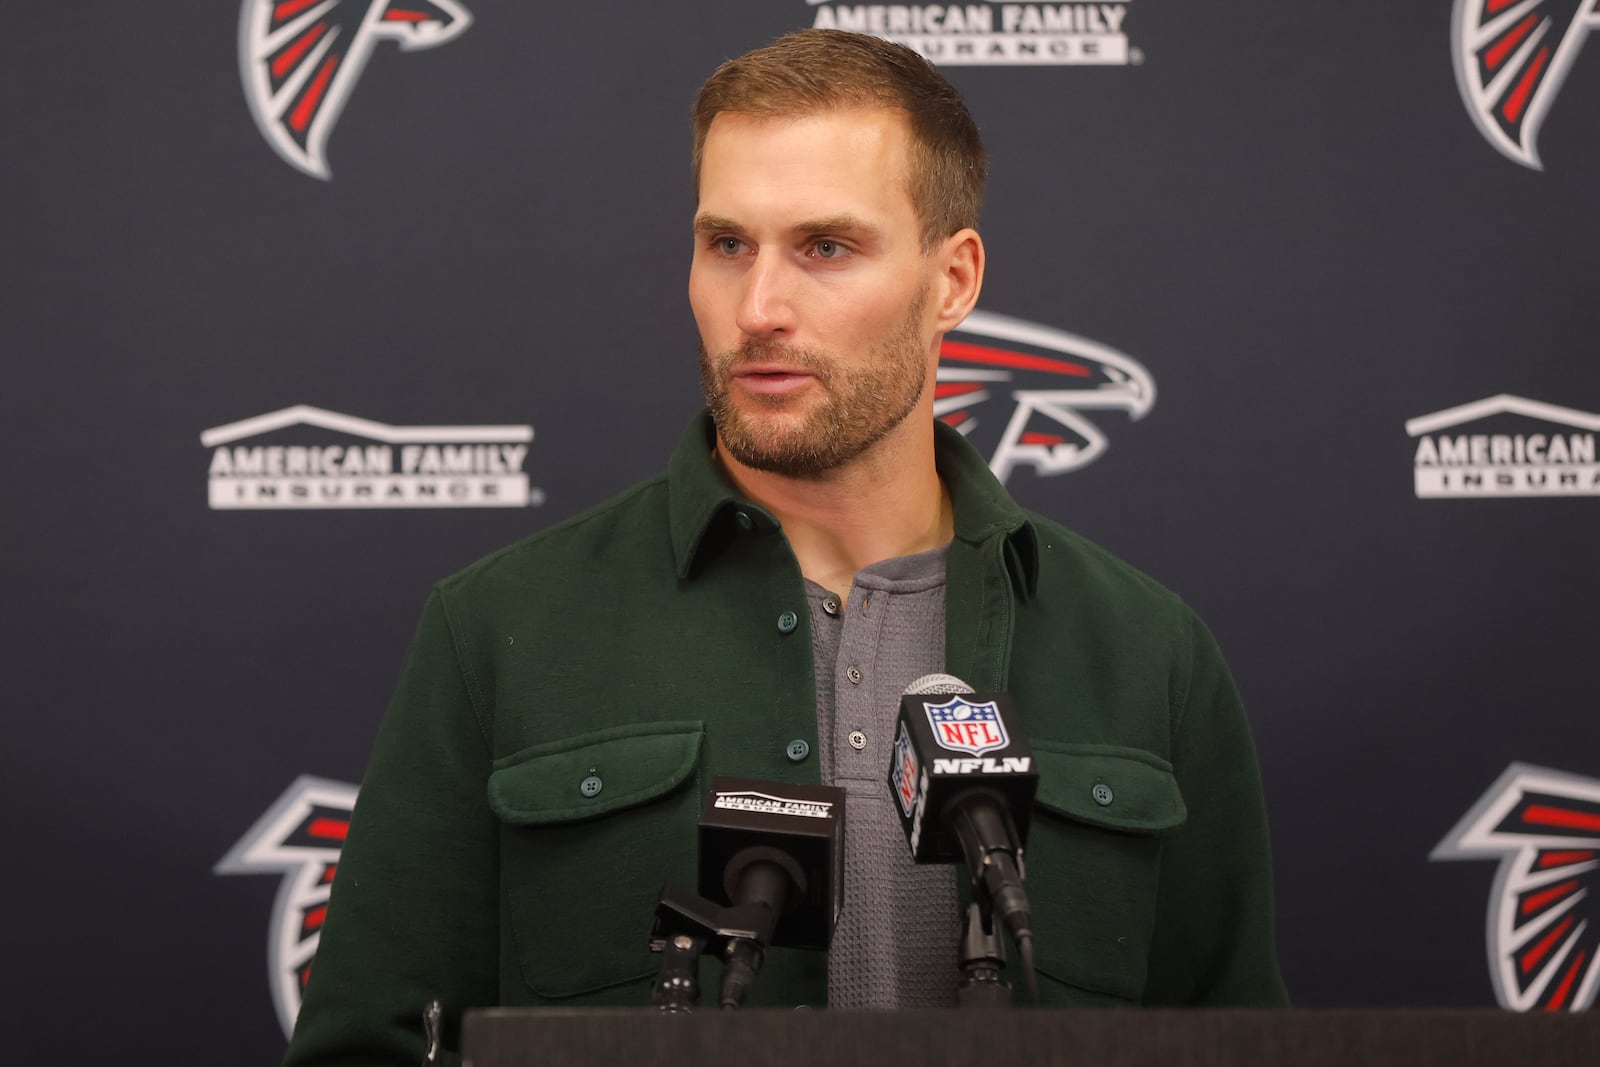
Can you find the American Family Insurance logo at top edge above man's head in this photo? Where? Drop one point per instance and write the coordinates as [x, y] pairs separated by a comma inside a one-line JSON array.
[[994, 34]]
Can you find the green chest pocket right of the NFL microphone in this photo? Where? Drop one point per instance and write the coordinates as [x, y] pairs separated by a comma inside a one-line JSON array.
[[1094, 861]]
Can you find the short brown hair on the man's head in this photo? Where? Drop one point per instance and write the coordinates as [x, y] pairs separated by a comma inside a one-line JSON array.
[[814, 71]]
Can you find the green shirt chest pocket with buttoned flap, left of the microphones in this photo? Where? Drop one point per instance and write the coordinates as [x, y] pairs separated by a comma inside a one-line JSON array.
[[591, 829]]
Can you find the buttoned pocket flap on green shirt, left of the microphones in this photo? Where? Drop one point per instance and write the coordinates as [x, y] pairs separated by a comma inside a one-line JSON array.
[[546, 785]]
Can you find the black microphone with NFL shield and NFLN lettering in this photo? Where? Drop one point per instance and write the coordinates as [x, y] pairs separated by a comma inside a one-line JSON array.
[[964, 781]]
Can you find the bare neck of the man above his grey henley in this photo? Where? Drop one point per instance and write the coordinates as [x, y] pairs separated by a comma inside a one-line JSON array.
[[884, 505]]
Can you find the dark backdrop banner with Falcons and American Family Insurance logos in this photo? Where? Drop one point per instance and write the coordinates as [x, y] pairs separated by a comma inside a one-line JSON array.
[[311, 303]]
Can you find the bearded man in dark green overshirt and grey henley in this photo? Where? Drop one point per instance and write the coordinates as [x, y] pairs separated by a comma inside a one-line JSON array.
[[817, 543]]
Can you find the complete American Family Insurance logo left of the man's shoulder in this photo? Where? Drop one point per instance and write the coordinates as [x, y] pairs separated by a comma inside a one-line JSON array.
[[310, 458]]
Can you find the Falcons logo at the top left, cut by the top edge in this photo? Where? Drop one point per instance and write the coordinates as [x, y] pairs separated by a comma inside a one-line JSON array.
[[300, 62]]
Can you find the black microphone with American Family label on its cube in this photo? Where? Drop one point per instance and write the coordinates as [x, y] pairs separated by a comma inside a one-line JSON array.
[[774, 853]]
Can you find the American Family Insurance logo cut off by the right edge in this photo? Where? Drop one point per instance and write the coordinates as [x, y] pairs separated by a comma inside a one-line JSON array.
[[1506, 447]]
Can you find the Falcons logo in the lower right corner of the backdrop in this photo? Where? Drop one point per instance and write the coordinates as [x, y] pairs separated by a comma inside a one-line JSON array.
[[1543, 930]]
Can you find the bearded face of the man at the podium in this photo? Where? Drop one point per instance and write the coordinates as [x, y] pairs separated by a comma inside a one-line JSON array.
[[810, 287]]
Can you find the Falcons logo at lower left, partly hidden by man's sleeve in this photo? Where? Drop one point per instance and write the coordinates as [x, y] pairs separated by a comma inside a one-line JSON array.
[[300, 837]]
